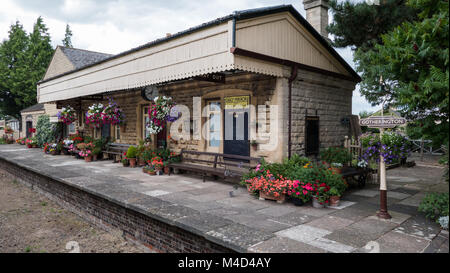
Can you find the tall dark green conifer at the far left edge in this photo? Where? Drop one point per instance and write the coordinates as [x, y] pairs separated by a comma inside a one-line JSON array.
[[13, 71]]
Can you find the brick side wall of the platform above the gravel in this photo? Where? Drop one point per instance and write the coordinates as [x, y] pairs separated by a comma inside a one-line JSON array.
[[154, 234]]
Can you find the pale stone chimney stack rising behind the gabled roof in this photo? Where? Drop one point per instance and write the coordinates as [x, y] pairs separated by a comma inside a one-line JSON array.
[[317, 15]]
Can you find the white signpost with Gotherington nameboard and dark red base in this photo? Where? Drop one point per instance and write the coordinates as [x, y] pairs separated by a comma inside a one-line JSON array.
[[382, 122]]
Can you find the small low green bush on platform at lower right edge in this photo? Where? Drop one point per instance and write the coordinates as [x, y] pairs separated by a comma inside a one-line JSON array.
[[434, 205]]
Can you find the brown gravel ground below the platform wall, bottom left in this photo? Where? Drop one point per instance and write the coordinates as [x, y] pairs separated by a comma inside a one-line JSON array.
[[29, 222]]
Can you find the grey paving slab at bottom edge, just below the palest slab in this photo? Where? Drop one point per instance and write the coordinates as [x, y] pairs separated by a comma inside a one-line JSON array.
[[279, 244]]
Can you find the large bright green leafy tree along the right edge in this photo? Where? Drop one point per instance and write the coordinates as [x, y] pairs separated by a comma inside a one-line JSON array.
[[413, 59]]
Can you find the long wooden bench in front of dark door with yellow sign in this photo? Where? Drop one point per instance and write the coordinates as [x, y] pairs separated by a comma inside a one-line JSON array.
[[219, 165]]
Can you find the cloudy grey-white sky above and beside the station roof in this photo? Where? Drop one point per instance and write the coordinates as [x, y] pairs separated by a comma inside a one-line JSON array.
[[113, 26]]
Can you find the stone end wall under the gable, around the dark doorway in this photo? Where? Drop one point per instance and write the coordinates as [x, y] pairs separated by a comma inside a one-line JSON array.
[[324, 96]]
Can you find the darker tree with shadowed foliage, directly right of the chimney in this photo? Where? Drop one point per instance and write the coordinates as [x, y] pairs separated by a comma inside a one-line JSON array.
[[360, 25]]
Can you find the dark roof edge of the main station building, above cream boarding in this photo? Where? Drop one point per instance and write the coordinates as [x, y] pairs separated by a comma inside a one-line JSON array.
[[237, 15]]
